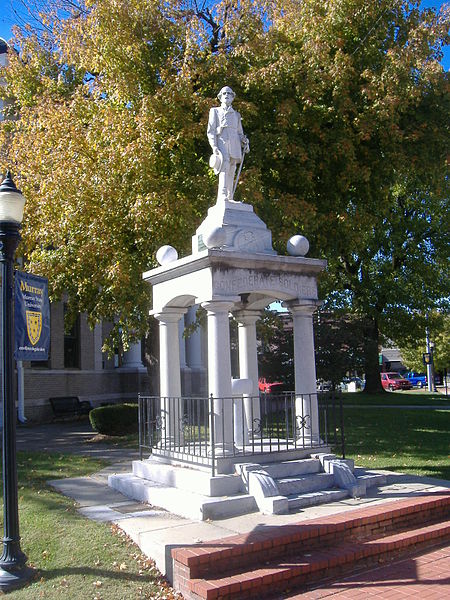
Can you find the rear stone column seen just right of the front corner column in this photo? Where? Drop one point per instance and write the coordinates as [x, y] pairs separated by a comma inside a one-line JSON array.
[[248, 367]]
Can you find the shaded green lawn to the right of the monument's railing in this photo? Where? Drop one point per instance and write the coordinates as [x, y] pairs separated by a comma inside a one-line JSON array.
[[408, 441]]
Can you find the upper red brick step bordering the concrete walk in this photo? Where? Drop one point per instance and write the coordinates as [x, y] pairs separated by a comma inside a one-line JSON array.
[[245, 550]]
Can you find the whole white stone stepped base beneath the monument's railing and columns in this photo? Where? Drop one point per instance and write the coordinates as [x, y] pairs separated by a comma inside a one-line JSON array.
[[273, 488]]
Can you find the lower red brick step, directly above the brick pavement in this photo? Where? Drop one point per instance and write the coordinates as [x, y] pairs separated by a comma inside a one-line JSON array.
[[310, 567]]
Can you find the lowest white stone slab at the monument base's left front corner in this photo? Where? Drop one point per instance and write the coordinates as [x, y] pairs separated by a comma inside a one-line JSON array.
[[182, 502]]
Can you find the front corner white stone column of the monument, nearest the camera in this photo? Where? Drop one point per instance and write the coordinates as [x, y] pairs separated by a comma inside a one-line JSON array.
[[219, 374]]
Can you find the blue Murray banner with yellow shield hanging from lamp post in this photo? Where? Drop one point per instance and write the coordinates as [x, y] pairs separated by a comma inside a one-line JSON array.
[[31, 317]]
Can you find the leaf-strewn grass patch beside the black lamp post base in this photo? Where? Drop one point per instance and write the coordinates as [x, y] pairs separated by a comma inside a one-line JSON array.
[[75, 558]]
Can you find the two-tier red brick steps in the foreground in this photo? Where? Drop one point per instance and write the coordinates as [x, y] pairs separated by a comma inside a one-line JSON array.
[[291, 554]]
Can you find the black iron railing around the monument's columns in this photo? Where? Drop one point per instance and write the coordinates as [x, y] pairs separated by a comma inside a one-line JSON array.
[[199, 430]]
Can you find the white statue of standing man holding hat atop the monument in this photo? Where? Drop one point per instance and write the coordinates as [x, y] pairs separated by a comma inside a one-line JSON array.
[[227, 141]]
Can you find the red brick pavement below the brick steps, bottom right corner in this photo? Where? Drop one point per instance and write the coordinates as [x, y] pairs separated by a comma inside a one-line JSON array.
[[426, 577]]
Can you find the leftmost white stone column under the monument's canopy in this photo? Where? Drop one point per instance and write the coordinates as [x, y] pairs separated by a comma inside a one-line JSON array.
[[170, 376]]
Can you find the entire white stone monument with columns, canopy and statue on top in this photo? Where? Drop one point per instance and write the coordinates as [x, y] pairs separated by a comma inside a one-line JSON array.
[[233, 269]]
